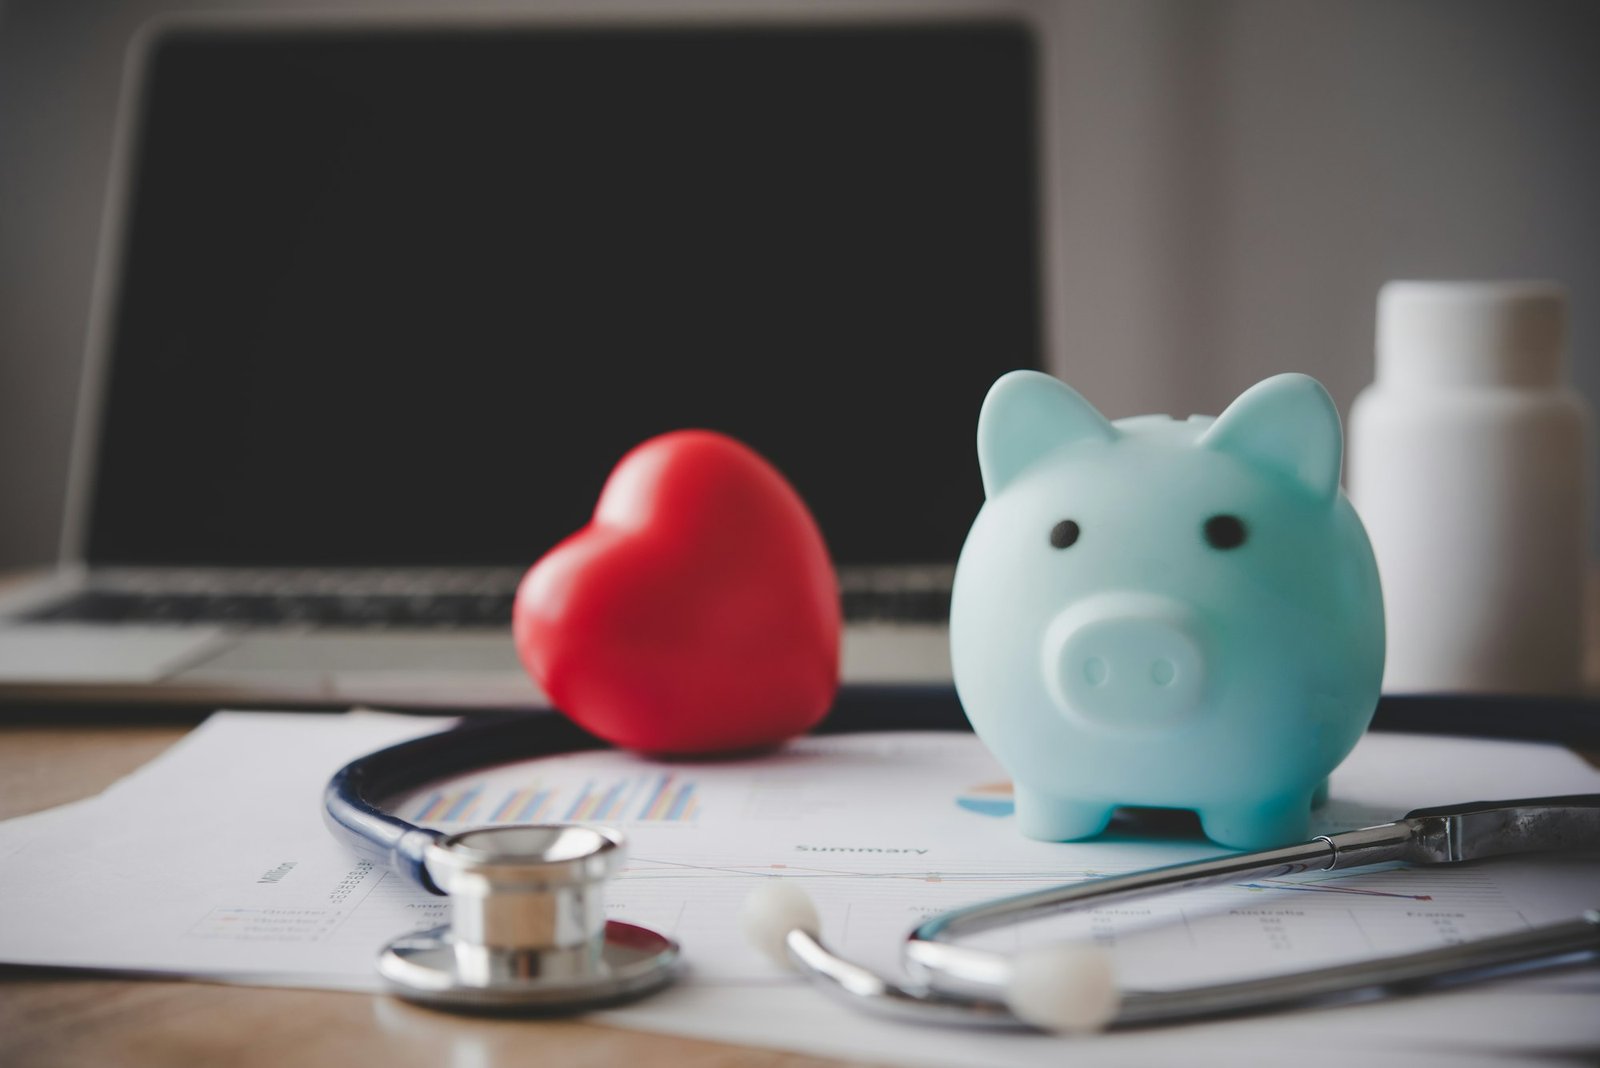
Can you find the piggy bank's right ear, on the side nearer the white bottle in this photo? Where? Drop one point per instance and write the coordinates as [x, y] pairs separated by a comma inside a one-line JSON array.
[[1286, 424]]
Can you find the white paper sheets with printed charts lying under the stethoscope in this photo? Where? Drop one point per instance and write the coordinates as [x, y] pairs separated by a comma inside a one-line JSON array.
[[214, 863]]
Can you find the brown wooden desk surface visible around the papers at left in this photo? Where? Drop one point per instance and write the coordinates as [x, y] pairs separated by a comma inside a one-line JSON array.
[[63, 1019]]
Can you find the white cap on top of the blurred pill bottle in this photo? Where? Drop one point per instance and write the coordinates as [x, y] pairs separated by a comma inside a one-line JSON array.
[[1471, 333]]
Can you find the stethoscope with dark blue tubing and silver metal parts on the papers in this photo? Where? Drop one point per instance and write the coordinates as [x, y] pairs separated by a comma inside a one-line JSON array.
[[529, 933]]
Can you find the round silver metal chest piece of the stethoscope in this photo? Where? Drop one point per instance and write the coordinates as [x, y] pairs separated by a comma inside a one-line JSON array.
[[529, 930]]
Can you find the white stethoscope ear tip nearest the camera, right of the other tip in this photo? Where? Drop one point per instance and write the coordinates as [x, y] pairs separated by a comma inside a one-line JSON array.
[[1066, 989]]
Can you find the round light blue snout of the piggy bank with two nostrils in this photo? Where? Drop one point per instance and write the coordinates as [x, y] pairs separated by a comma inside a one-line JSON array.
[[1126, 661]]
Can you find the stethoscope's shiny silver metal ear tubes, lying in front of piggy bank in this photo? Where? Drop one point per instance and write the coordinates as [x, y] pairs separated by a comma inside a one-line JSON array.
[[956, 984]]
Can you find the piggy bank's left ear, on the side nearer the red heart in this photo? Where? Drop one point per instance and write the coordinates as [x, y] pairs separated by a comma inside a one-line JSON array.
[[1028, 415]]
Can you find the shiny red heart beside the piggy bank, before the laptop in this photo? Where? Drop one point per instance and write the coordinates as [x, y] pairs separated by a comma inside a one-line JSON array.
[[697, 613]]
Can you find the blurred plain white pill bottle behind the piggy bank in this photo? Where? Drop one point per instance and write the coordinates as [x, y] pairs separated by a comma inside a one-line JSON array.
[[1471, 468]]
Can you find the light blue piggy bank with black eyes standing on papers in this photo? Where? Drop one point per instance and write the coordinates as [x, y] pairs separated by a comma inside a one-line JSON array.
[[1159, 613]]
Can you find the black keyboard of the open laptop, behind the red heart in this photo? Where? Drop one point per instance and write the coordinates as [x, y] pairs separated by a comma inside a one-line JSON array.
[[378, 612]]
